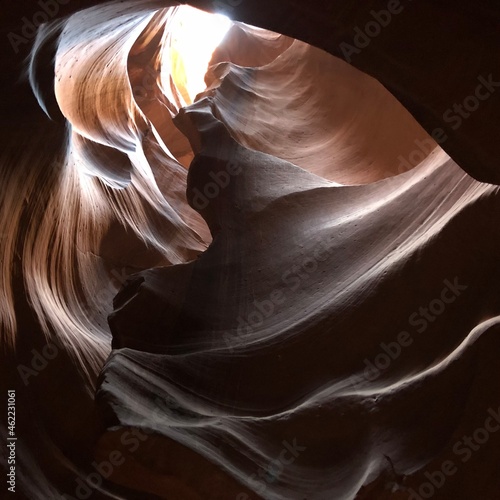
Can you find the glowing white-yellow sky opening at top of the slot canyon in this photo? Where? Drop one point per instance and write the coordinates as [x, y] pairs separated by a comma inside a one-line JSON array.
[[194, 36]]
